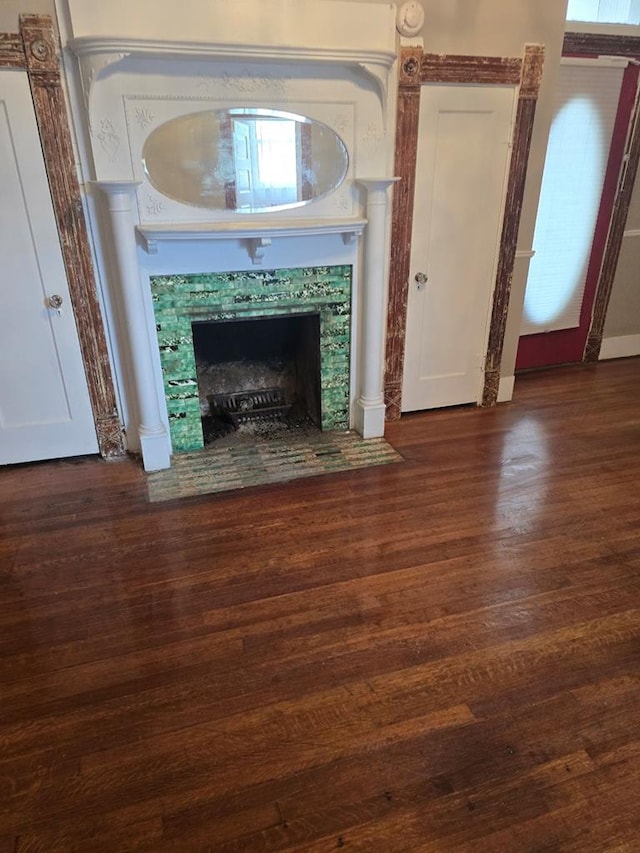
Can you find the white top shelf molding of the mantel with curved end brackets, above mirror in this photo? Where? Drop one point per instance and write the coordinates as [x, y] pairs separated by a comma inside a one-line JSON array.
[[97, 53]]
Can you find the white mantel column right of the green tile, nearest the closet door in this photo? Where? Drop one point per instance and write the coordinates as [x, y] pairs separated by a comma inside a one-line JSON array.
[[370, 408]]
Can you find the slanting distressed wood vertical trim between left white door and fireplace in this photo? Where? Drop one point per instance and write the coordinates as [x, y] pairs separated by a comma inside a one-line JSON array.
[[40, 49]]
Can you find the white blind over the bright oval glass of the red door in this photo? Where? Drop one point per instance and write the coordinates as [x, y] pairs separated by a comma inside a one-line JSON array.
[[586, 105]]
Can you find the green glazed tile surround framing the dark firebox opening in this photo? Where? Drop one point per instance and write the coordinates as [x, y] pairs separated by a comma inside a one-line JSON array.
[[180, 300]]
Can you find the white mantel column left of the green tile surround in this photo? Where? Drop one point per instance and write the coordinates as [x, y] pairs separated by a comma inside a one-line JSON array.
[[155, 443]]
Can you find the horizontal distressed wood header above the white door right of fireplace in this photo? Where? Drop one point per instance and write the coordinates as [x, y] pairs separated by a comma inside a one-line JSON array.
[[435, 68]]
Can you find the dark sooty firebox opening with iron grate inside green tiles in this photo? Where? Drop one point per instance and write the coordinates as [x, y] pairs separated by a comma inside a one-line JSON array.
[[259, 377]]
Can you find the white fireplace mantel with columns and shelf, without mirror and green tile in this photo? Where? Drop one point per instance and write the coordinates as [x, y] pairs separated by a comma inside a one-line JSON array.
[[145, 64]]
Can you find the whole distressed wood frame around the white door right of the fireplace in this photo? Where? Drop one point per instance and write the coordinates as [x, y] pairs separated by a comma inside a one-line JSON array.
[[417, 69]]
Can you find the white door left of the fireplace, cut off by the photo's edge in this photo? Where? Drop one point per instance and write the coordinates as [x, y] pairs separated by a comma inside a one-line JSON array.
[[45, 411]]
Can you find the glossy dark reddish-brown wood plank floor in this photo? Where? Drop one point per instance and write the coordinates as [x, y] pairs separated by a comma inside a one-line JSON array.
[[442, 654]]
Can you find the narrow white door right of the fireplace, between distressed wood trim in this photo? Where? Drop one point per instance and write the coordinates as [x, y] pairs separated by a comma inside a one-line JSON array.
[[463, 156]]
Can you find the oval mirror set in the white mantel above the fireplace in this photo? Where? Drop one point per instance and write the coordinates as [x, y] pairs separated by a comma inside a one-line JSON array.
[[248, 160]]
